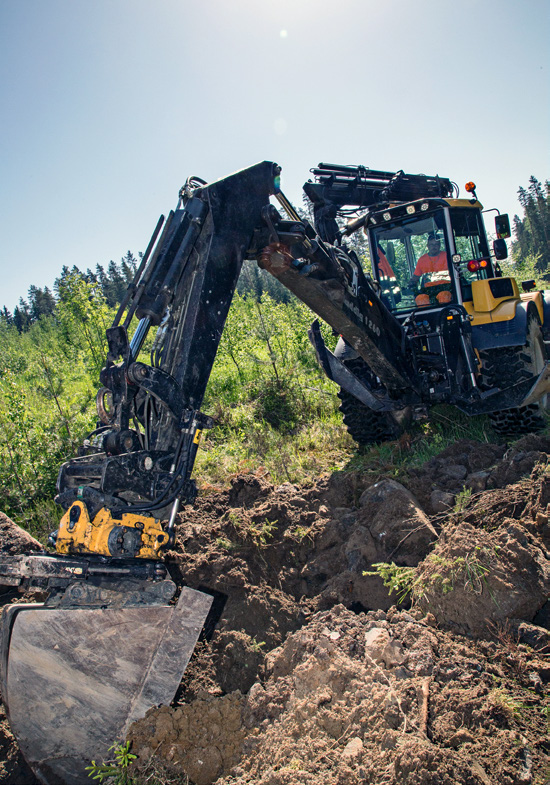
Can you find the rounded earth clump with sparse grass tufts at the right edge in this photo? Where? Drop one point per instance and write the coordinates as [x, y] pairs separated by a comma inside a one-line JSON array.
[[491, 564]]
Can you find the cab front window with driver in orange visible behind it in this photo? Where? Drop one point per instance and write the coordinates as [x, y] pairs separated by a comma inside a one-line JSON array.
[[411, 262]]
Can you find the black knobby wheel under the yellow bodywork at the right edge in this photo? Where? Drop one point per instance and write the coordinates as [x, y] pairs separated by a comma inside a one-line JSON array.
[[508, 366]]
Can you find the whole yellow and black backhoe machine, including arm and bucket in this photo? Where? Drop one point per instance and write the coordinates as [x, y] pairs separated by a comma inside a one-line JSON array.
[[428, 319]]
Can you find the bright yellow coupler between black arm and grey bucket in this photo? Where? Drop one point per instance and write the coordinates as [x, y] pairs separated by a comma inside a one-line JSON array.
[[130, 536]]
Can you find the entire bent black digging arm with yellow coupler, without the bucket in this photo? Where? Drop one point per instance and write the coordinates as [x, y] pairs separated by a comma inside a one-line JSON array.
[[150, 418]]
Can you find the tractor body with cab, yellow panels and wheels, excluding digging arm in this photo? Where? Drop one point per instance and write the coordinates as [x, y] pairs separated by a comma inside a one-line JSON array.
[[469, 337]]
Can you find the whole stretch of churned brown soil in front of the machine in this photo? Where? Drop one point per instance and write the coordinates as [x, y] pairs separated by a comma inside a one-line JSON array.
[[316, 674]]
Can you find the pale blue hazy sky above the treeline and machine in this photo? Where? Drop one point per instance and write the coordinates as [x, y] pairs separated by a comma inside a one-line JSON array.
[[108, 105]]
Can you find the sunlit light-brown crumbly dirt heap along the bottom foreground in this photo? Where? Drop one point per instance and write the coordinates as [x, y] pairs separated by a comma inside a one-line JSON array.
[[356, 698]]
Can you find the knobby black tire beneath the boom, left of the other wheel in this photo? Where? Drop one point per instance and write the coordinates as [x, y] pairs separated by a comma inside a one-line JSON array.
[[365, 425]]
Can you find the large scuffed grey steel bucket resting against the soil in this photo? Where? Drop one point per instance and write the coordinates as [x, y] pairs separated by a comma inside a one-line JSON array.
[[73, 680]]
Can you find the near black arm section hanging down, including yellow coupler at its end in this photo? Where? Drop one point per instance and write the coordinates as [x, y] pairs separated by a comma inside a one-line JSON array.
[[149, 405]]
